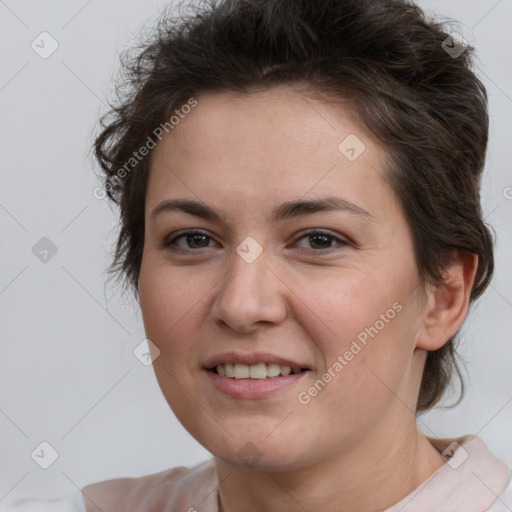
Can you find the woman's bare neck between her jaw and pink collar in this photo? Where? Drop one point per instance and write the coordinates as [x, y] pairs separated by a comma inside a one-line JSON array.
[[371, 476]]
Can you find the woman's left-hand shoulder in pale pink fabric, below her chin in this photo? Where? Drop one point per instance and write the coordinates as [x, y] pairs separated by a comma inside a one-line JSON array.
[[181, 487]]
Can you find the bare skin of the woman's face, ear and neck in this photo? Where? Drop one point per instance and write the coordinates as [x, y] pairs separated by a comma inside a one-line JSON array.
[[355, 446]]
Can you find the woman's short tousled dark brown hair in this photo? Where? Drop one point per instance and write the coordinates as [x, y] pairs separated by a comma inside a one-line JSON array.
[[386, 57]]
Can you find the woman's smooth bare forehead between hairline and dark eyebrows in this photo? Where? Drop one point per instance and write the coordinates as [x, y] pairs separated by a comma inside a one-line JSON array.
[[267, 146]]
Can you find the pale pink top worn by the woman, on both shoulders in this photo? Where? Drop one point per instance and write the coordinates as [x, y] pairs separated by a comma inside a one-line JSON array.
[[472, 480]]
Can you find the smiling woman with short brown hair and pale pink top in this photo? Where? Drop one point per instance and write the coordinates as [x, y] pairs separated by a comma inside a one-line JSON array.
[[301, 224]]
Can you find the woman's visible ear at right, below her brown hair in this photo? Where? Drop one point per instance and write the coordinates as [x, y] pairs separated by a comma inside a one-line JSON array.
[[448, 304]]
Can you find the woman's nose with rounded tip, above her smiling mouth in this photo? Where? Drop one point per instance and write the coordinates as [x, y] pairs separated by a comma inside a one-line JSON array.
[[250, 294]]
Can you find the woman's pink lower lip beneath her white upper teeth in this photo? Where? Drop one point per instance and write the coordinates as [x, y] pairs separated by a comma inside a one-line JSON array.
[[253, 388]]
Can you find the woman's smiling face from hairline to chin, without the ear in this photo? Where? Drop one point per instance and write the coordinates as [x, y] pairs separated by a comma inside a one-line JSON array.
[[328, 290]]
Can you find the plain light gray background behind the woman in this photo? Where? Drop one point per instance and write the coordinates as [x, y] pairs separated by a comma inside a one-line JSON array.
[[67, 372]]
